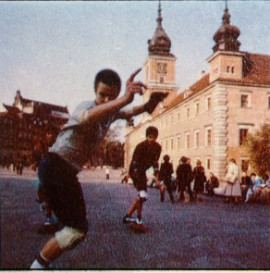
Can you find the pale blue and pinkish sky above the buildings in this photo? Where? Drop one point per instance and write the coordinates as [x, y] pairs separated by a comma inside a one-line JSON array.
[[51, 51]]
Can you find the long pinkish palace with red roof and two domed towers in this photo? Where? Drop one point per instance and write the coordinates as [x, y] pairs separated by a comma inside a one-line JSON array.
[[210, 119]]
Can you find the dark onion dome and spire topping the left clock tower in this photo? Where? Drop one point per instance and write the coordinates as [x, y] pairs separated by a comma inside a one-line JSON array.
[[160, 44]]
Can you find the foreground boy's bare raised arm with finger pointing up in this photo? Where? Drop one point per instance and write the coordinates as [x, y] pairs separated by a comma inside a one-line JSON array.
[[101, 110]]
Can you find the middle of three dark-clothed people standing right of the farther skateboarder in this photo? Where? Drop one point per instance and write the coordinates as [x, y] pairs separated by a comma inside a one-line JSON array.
[[184, 178]]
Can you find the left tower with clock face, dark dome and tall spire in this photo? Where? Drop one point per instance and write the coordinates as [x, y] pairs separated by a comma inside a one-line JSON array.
[[159, 66]]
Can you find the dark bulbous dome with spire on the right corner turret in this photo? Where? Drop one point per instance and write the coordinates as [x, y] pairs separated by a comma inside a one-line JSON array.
[[227, 34]]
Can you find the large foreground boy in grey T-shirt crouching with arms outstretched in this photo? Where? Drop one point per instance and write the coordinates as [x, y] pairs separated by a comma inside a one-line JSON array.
[[79, 138]]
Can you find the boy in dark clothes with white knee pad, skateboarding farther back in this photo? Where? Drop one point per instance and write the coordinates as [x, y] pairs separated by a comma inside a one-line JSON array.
[[146, 155]]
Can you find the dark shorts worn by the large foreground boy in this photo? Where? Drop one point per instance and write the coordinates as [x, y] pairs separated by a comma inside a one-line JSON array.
[[62, 191]]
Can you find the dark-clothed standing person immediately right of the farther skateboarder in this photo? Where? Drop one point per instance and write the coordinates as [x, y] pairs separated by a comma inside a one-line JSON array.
[[165, 175]]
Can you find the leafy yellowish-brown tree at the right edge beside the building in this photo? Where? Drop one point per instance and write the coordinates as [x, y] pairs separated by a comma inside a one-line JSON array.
[[258, 147]]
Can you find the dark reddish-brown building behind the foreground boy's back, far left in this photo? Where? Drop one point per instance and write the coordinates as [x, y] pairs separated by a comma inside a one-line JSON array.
[[28, 128]]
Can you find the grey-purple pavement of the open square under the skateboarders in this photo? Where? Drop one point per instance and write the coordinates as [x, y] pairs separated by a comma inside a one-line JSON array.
[[205, 235]]
